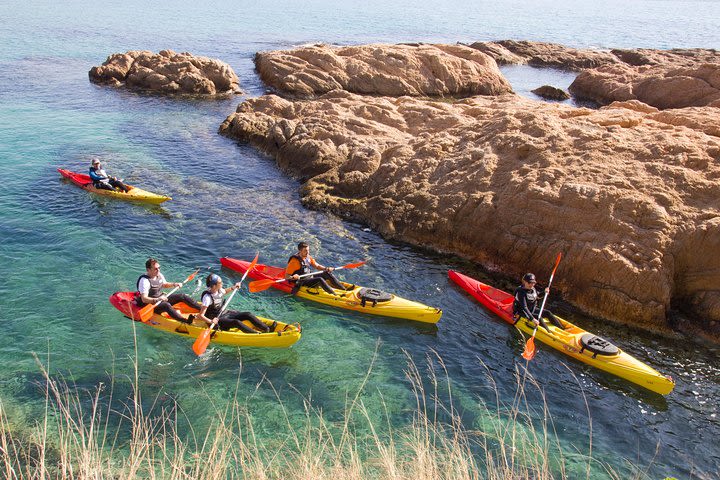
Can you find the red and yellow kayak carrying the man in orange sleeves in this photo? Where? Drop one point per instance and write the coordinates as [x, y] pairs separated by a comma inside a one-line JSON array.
[[359, 299]]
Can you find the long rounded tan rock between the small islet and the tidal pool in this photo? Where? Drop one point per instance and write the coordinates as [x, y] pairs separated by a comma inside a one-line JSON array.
[[394, 70]]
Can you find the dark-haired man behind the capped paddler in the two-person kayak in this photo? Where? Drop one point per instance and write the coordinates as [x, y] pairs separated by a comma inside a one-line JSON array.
[[149, 291]]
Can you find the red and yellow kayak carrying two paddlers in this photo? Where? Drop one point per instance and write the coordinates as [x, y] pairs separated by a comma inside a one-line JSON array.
[[283, 336]]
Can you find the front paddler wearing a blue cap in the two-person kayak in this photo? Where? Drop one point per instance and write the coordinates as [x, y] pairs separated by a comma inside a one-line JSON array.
[[212, 302]]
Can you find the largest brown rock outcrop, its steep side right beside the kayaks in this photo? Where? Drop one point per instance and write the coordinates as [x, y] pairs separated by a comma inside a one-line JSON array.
[[628, 193]]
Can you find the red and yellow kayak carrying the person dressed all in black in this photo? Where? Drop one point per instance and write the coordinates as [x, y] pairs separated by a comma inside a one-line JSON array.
[[572, 341]]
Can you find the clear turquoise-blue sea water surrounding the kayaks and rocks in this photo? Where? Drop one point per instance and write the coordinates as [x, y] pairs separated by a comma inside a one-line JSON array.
[[64, 252]]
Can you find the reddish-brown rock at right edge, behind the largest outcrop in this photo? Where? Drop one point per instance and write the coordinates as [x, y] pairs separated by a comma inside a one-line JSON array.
[[661, 86]]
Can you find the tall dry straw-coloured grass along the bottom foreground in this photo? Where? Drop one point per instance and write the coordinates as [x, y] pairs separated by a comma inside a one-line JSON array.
[[72, 442]]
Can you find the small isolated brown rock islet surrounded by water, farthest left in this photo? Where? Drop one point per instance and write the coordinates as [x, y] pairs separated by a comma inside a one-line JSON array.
[[167, 72]]
